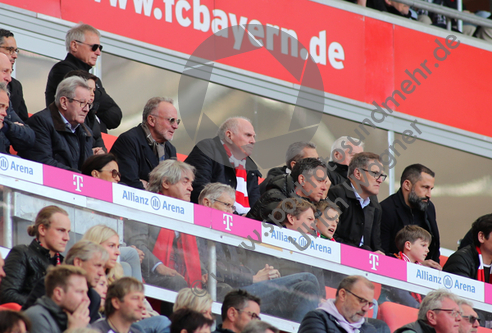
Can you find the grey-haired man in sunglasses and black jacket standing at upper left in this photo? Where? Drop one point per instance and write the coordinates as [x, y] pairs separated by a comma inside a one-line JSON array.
[[84, 47]]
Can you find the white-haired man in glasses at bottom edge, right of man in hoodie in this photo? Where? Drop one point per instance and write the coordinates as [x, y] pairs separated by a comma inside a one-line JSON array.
[[439, 312]]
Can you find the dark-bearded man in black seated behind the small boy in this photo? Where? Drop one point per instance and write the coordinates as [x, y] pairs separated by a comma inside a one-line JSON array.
[[411, 205]]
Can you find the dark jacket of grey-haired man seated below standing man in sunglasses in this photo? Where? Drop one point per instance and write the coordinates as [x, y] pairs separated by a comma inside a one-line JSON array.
[[55, 144]]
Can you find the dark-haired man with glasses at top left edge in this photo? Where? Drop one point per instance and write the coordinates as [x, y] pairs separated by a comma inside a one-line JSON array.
[[8, 46]]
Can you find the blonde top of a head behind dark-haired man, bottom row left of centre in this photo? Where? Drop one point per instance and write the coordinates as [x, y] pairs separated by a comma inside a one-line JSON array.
[[194, 299]]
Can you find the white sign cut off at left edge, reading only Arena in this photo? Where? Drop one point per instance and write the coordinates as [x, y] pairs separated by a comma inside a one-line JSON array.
[[21, 169]]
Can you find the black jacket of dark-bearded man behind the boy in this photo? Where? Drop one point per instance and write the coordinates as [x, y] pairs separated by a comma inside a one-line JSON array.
[[397, 214]]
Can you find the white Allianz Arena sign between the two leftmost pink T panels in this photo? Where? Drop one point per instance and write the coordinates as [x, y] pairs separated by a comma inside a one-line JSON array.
[[153, 203]]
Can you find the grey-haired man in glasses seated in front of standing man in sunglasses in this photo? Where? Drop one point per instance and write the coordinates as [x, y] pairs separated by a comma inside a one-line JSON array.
[[62, 138]]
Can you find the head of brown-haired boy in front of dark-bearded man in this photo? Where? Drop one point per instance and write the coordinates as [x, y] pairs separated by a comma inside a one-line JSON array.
[[413, 243]]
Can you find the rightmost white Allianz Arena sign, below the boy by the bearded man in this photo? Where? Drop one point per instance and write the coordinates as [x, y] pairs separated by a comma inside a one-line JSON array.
[[432, 278]]
